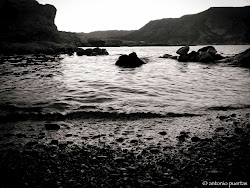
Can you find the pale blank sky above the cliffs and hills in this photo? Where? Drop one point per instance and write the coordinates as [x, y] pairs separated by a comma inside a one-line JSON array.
[[99, 15]]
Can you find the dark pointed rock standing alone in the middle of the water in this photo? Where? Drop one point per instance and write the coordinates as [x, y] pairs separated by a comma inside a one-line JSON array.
[[129, 61]]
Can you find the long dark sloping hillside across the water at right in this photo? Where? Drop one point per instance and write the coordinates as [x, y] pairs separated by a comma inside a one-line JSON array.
[[227, 25]]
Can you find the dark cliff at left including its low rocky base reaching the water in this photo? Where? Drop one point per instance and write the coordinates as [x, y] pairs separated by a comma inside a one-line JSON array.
[[27, 27]]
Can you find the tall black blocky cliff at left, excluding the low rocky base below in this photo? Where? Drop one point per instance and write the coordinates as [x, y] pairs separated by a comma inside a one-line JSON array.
[[26, 21]]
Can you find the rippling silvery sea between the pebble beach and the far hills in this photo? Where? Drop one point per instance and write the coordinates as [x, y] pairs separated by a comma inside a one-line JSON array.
[[93, 86]]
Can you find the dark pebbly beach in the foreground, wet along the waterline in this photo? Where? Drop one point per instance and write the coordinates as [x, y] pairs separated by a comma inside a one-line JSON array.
[[220, 152]]
